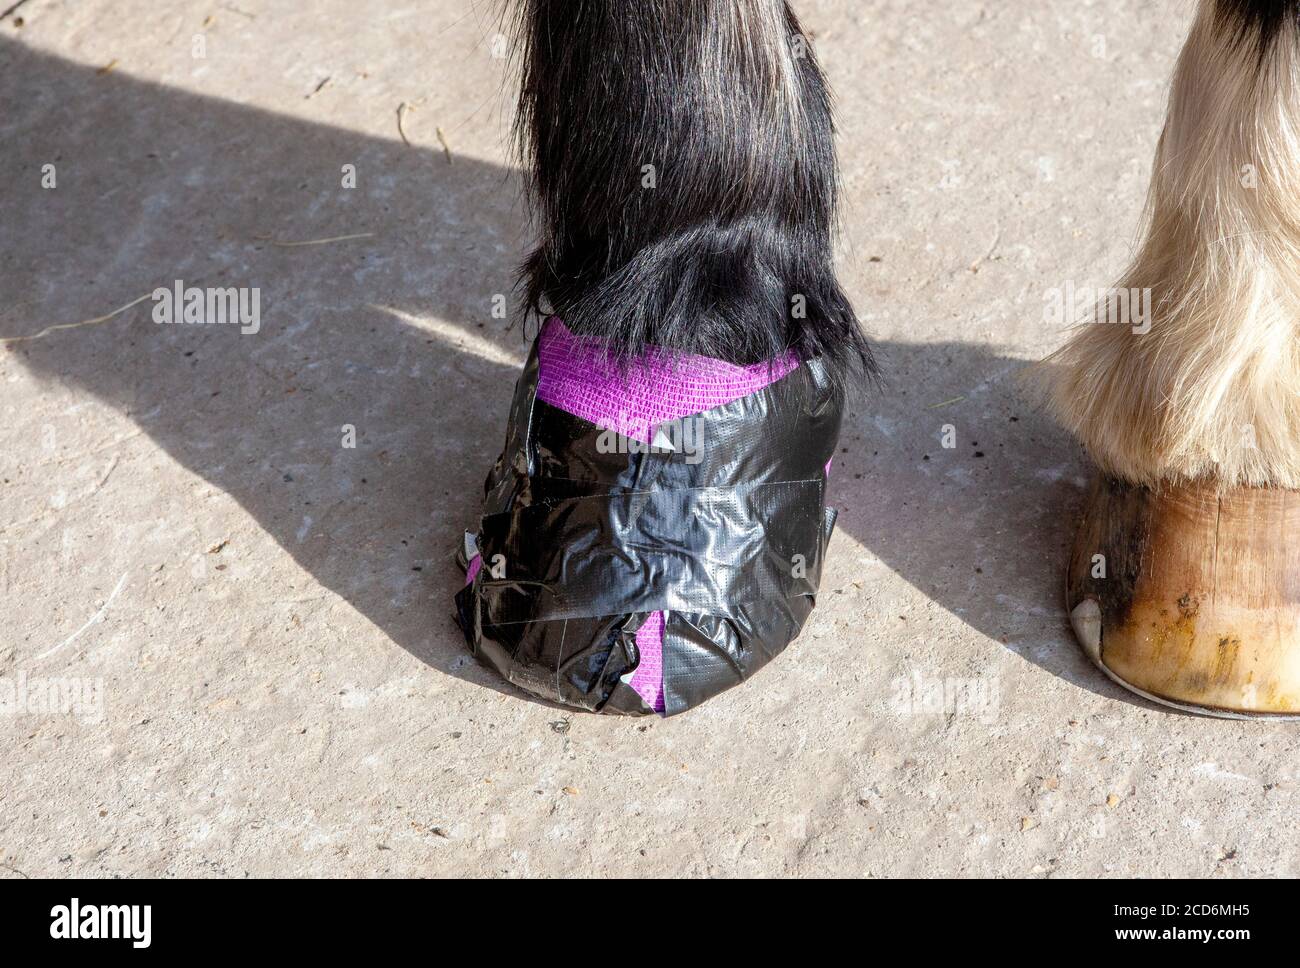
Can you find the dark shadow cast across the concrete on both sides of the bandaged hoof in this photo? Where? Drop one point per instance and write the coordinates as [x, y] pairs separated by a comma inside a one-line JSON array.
[[395, 335]]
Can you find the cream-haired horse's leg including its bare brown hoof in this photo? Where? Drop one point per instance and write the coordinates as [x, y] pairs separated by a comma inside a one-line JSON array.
[[1185, 583]]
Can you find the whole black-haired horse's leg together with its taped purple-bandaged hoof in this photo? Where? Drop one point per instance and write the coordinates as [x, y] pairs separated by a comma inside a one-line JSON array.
[[657, 522]]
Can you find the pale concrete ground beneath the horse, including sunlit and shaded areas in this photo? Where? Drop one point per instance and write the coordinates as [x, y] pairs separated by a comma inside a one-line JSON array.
[[249, 620]]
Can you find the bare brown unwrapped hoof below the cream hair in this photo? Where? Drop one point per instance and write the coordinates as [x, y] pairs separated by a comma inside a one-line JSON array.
[[1191, 597]]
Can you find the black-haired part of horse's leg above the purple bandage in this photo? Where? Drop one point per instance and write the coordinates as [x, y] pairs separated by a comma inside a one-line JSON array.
[[686, 179]]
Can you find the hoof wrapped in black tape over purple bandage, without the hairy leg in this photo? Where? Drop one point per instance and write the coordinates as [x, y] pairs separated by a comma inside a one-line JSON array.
[[651, 536]]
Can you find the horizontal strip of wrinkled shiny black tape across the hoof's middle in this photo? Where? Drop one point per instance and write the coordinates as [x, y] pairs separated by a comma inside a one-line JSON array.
[[574, 559]]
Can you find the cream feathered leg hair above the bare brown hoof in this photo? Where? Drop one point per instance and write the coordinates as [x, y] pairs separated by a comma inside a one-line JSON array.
[[1212, 390]]
